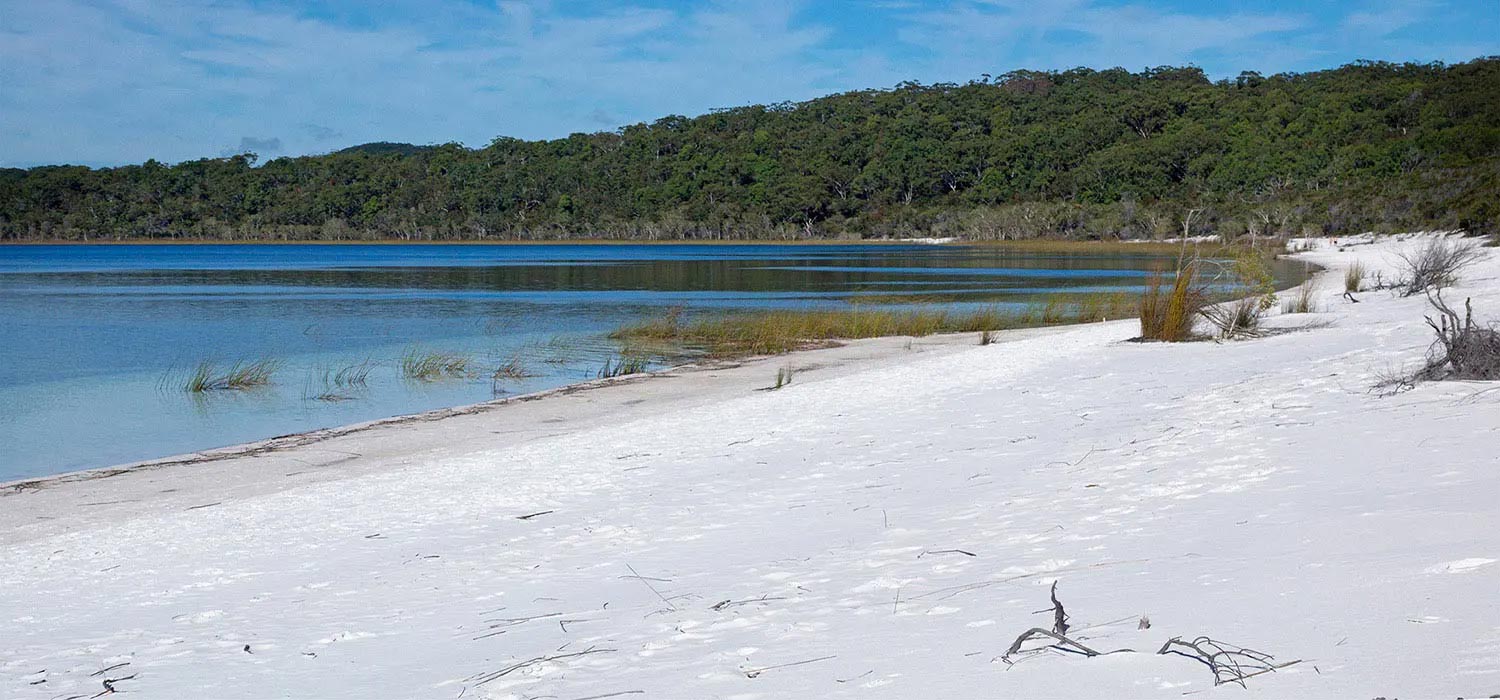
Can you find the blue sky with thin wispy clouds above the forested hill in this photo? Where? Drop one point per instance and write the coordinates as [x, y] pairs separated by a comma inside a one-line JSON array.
[[119, 82]]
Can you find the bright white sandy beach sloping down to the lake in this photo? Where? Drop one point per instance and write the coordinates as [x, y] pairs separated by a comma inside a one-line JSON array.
[[1255, 492]]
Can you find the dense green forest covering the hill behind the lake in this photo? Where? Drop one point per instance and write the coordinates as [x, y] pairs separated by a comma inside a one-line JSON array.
[[1078, 154]]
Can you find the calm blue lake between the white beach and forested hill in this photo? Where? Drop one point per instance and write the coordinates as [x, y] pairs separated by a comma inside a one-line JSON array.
[[98, 340]]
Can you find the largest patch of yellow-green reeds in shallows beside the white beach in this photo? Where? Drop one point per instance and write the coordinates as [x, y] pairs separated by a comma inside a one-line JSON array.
[[770, 334]]
